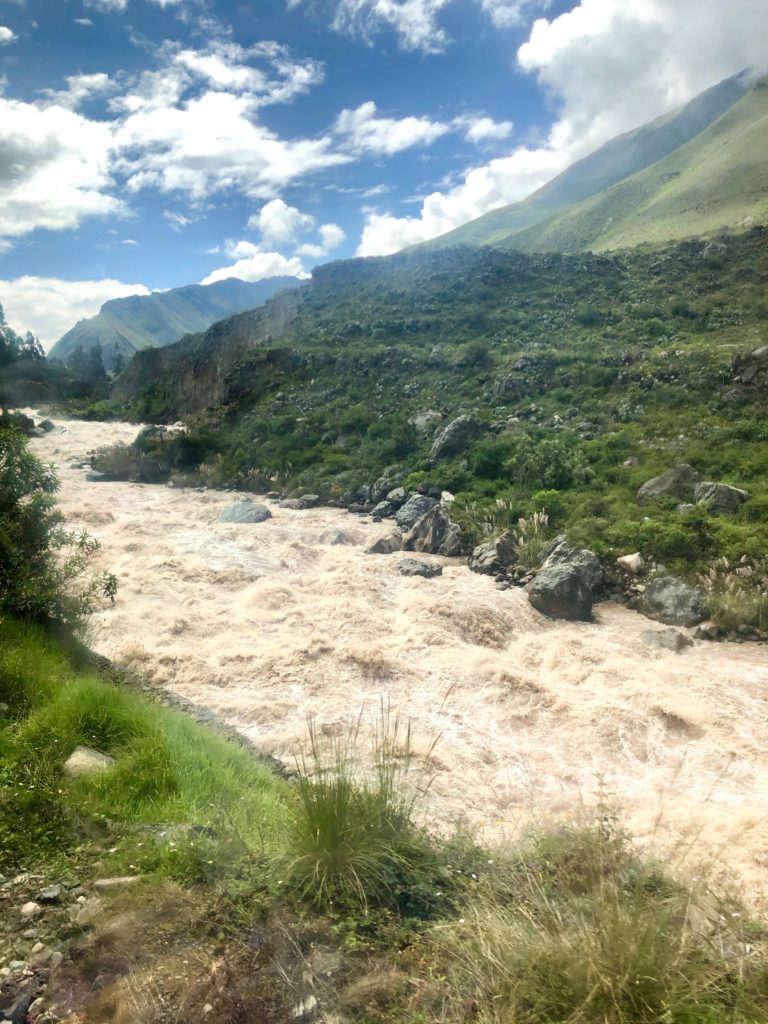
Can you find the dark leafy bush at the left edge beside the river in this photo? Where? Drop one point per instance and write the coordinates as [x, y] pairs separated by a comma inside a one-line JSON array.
[[46, 571]]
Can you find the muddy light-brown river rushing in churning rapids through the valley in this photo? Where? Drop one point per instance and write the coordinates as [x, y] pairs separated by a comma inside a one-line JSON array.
[[268, 624]]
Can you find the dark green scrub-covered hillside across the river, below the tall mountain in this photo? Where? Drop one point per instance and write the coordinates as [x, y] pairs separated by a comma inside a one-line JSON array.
[[589, 375]]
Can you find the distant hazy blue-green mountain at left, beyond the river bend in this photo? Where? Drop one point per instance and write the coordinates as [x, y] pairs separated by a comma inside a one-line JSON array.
[[139, 322]]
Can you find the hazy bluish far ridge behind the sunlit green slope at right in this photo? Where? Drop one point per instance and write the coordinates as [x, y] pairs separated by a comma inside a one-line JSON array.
[[618, 160]]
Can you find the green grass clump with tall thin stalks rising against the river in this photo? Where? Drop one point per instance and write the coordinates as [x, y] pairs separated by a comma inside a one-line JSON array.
[[354, 838]]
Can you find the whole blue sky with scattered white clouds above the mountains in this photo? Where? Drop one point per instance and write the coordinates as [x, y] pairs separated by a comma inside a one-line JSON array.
[[151, 144]]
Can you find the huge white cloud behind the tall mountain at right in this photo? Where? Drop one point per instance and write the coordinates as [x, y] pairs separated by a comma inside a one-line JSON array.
[[610, 67]]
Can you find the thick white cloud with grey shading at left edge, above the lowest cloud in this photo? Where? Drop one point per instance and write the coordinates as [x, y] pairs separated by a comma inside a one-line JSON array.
[[54, 168]]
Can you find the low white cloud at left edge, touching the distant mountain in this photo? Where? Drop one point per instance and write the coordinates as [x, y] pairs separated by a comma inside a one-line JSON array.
[[49, 307]]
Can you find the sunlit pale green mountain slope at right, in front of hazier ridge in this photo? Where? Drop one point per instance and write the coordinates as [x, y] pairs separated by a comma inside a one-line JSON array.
[[718, 181]]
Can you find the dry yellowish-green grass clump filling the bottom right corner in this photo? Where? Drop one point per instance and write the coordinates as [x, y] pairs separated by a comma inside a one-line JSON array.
[[585, 931]]
